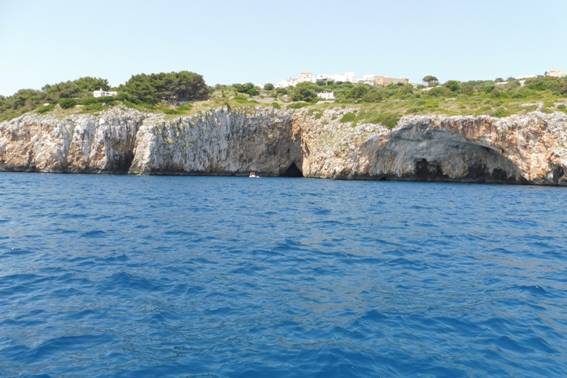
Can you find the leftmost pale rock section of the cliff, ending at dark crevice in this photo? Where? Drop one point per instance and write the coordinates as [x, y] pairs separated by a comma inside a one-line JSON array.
[[82, 143]]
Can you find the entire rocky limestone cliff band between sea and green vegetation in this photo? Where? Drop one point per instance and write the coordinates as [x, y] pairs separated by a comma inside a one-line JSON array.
[[520, 149]]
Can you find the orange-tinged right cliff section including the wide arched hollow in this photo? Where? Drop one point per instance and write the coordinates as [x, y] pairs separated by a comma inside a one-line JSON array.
[[528, 148]]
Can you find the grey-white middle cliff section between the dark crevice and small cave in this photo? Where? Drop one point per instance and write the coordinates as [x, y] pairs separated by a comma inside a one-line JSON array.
[[219, 142]]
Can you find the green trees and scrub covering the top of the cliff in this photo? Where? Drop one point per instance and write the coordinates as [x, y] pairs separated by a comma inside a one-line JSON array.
[[185, 93]]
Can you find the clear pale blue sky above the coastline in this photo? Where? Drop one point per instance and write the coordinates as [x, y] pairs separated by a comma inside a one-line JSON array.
[[47, 41]]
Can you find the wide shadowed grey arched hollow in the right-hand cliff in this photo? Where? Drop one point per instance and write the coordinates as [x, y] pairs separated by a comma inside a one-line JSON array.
[[414, 153]]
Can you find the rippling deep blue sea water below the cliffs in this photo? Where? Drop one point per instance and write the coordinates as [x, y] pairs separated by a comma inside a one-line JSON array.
[[216, 276]]
